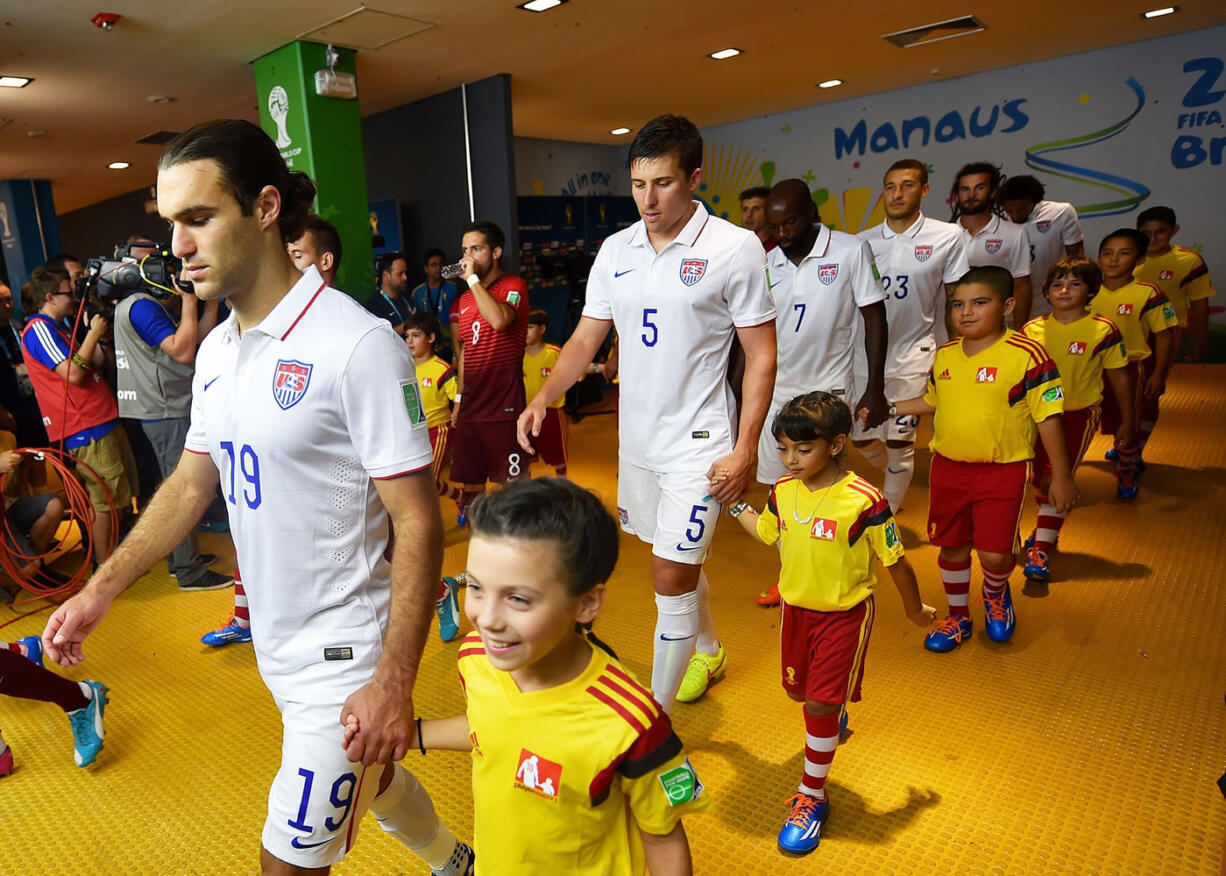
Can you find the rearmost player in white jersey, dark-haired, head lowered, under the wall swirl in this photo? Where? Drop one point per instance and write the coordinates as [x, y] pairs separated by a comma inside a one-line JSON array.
[[1051, 227]]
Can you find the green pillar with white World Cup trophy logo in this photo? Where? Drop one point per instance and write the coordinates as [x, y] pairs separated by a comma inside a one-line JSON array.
[[323, 138]]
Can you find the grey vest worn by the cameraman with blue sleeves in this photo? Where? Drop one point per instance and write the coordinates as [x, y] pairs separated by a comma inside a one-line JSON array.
[[153, 387]]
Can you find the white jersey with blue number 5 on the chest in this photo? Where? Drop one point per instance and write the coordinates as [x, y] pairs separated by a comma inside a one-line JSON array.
[[676, 313]]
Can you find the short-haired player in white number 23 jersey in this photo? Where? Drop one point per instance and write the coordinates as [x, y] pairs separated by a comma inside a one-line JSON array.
[[919, 259]]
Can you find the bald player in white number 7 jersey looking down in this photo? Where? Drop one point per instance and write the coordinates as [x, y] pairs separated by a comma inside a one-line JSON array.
[[820, 280]]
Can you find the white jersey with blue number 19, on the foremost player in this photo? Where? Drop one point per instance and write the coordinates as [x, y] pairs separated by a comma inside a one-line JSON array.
[[299, 415]]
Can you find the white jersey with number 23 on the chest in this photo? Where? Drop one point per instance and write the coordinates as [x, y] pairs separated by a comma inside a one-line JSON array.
[[915, 268]]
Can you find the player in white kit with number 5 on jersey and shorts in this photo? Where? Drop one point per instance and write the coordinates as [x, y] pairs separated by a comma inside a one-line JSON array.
[[677, 286]]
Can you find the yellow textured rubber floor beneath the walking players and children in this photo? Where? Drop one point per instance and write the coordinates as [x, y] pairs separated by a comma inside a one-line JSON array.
[[1089, 744]]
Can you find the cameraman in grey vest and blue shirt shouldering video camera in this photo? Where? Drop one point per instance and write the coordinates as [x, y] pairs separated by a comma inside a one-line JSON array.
[[155, 362]]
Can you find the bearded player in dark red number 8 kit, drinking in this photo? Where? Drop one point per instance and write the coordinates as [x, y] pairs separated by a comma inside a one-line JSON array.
[[491, 323]]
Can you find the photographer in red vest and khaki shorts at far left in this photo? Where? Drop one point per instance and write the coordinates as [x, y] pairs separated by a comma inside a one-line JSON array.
[[78, 406]]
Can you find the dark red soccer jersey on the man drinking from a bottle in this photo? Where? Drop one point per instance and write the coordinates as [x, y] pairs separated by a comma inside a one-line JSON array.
[[493, 362]]
